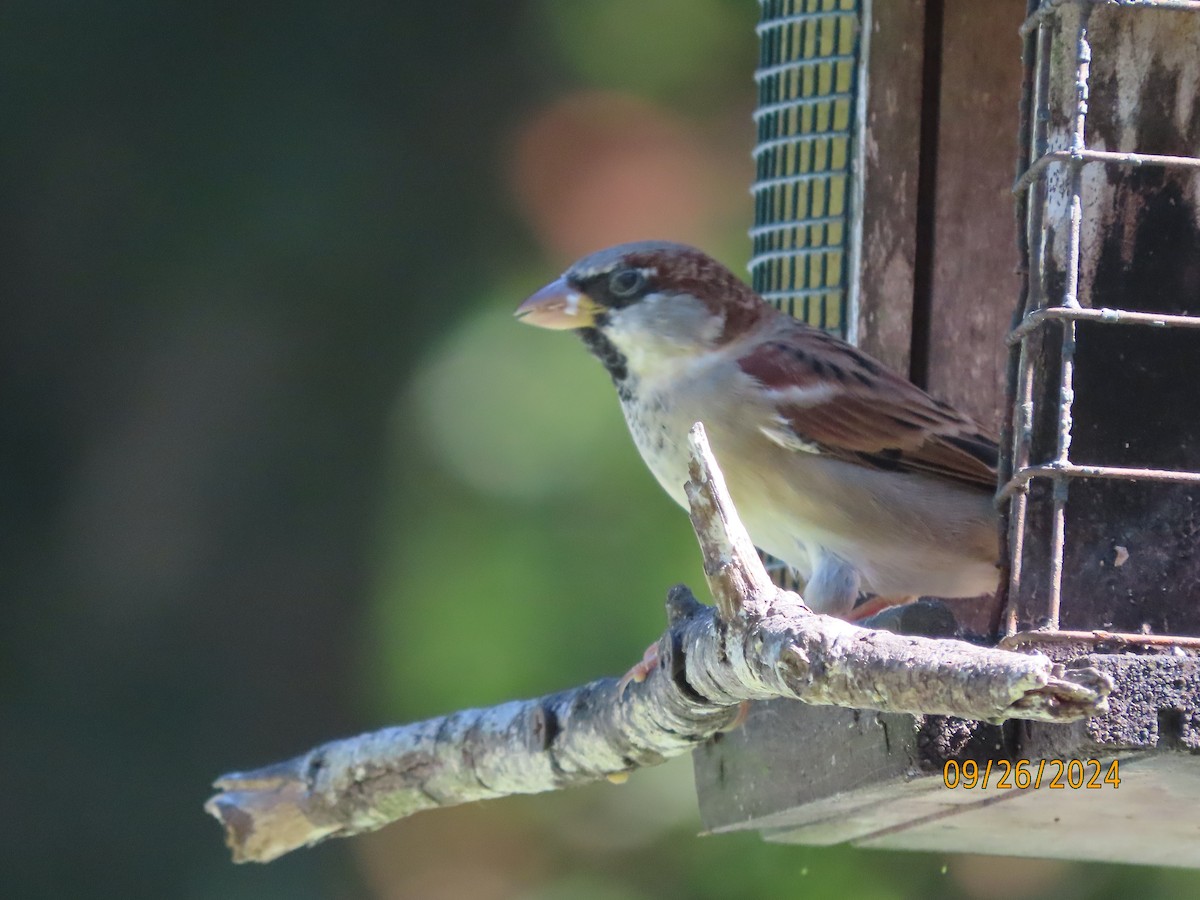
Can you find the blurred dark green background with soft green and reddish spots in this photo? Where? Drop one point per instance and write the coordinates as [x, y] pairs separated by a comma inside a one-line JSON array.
[[279, 466]]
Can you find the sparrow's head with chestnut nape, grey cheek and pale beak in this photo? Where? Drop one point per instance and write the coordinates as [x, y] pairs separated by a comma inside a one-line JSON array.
[[644, 305]]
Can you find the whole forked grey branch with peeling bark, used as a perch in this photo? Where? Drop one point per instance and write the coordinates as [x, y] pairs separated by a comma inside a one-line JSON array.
[[758, 643]]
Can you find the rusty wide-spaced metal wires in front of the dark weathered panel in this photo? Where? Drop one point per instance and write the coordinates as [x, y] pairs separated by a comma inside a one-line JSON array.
[[1039, 310]]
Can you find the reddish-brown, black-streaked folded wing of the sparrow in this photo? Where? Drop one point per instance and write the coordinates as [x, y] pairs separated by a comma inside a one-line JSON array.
[[841, 403]]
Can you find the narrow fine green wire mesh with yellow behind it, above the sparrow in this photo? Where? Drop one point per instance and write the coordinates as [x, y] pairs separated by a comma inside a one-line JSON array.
[[809, 56]]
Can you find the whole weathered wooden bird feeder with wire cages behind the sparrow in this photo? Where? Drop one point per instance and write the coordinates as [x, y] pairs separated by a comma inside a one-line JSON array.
[[885, 212]]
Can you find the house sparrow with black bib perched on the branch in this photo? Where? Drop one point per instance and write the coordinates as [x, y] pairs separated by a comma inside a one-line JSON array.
[[839, 467]]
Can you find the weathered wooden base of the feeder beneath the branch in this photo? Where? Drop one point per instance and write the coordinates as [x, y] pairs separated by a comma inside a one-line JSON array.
[[1126, 785]]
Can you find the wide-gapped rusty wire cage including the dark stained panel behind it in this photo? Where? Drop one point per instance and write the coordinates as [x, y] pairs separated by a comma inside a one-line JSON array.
[[1102, 464]]
